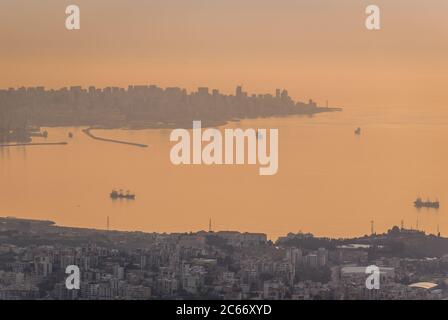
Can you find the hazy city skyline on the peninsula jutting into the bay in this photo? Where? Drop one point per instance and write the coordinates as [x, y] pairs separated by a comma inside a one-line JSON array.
[[143, 106]]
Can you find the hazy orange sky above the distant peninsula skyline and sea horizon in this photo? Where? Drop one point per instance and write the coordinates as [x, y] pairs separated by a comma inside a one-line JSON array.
[[314, 48]]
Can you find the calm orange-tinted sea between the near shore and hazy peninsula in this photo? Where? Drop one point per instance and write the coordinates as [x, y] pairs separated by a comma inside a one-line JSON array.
[[330, 182]]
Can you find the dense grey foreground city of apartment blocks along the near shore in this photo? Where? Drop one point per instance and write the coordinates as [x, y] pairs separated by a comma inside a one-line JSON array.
[[216, 265]]
